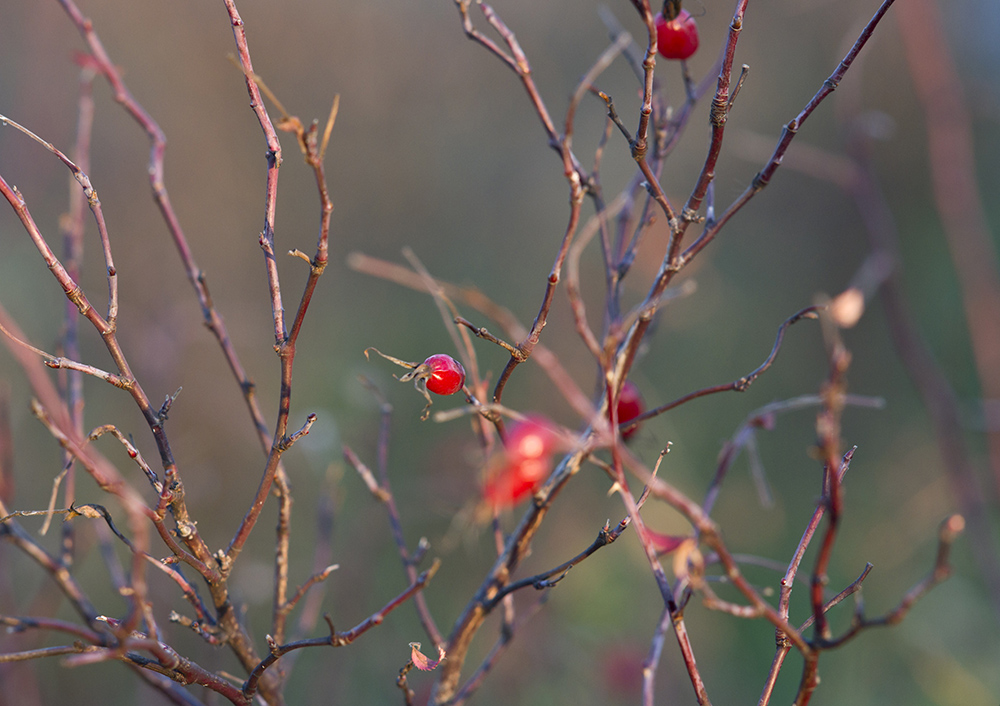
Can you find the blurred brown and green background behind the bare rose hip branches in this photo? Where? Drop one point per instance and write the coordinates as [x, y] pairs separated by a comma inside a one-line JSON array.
[[437, 148]]
